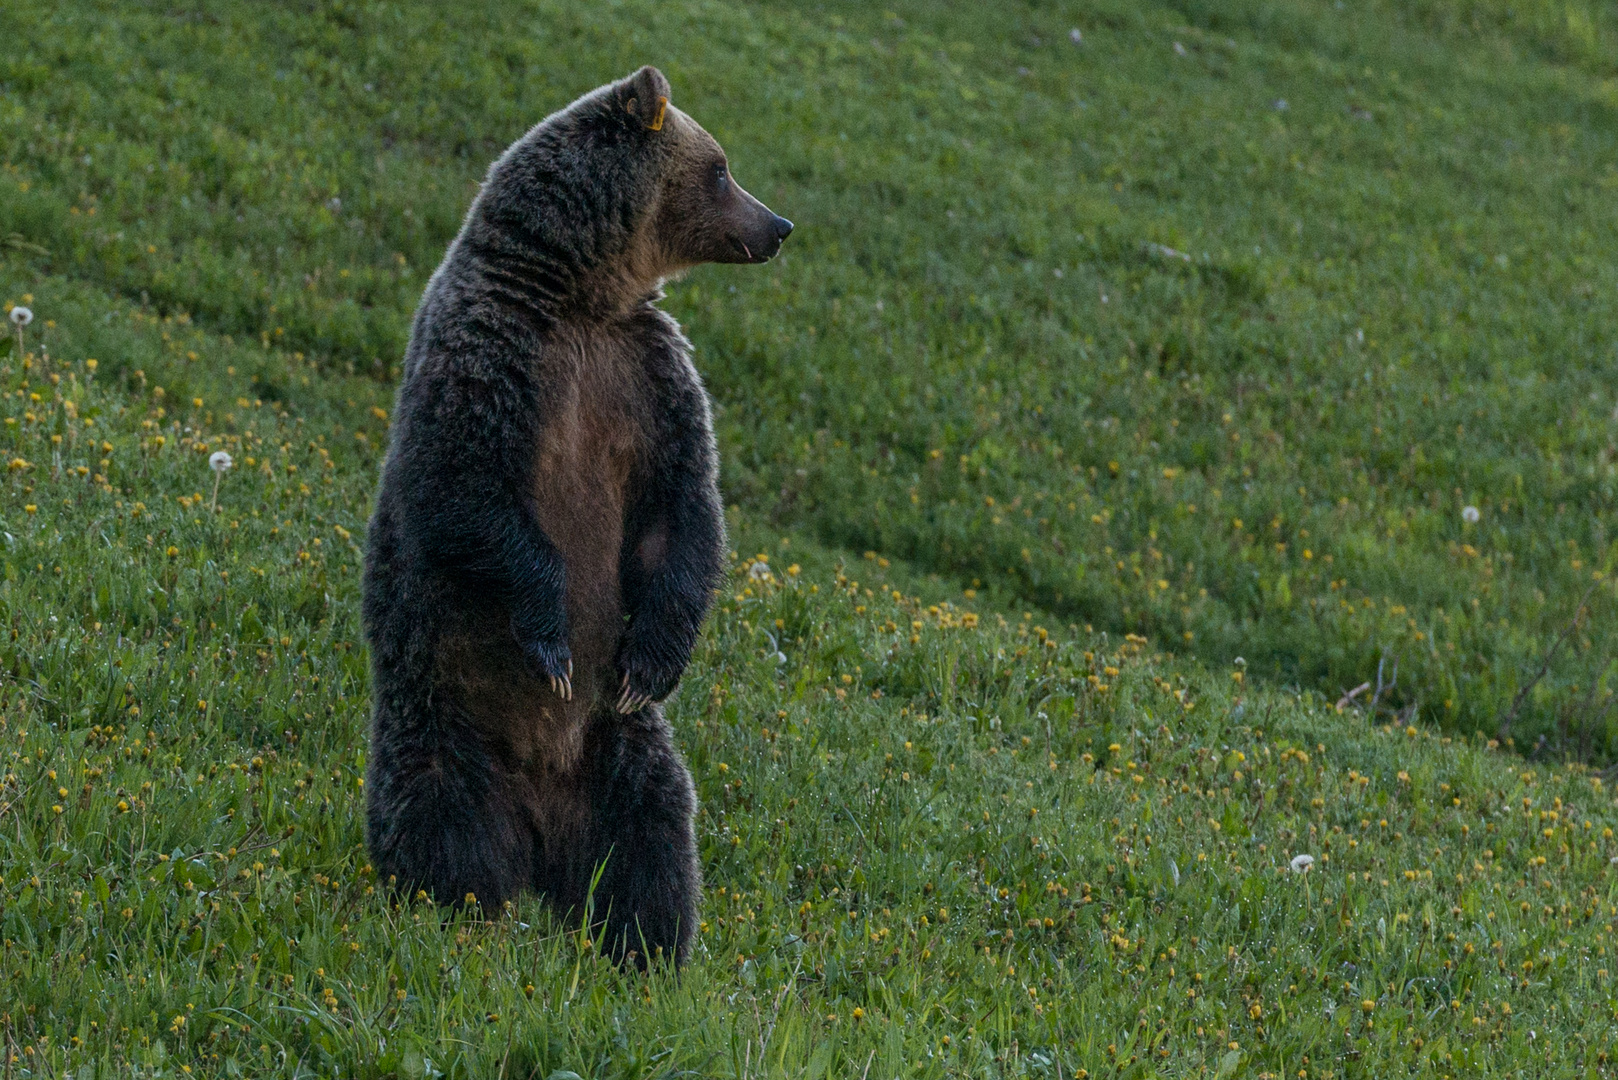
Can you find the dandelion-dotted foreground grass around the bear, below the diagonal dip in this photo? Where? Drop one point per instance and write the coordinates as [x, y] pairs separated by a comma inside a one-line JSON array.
[[933, 843]]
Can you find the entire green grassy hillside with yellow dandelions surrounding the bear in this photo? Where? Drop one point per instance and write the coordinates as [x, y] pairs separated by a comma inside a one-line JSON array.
[[1112, 412]]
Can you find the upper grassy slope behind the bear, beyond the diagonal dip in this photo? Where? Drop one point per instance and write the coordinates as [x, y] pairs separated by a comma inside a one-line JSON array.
[[1397, 300]]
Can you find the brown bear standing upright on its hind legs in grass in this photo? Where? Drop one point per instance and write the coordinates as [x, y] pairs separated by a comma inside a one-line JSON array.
[[549, 532]]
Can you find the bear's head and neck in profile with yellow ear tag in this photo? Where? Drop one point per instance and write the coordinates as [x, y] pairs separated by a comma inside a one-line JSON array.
[[622, 190]]
